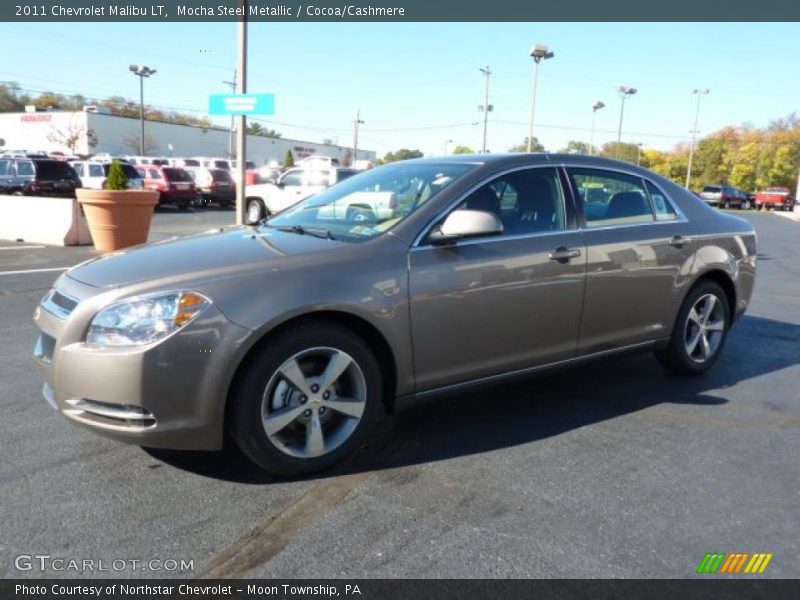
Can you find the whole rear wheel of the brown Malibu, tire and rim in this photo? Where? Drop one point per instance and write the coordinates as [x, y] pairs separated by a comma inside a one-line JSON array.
[[686, 353]]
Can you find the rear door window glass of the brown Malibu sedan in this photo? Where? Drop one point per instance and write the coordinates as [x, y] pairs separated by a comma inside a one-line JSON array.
[[611, 198]]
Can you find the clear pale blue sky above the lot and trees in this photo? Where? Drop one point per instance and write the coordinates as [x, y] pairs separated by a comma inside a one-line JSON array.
[[418, 84]]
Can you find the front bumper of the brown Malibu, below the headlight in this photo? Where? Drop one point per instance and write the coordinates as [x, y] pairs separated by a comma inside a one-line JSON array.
[[165, 395]]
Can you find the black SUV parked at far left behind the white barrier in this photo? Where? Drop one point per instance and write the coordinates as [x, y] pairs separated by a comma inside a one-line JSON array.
[[37, 177]]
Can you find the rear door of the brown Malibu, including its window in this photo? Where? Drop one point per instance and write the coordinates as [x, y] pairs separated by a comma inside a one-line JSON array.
[[638, 252]]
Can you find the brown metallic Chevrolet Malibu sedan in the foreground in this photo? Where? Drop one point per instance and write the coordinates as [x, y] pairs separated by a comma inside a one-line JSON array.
[[295, 335]]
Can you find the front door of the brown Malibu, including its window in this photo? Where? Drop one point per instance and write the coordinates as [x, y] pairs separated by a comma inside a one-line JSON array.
[[486, 306]]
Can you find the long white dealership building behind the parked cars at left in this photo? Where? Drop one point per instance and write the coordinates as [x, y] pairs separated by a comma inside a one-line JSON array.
[[90, 132]]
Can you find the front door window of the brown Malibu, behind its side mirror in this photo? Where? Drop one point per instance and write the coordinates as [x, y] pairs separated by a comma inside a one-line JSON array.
[[529, 201]]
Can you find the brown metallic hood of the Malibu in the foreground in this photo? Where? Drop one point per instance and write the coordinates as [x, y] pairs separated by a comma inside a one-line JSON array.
[[218, 252]]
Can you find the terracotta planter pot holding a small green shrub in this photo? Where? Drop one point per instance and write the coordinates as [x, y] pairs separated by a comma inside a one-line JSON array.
[[118, 219]]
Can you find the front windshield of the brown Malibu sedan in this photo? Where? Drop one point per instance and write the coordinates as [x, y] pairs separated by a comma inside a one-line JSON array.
[[368, 204]]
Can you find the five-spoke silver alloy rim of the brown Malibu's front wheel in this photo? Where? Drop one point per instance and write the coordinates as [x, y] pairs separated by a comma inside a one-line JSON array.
[[313, 402]]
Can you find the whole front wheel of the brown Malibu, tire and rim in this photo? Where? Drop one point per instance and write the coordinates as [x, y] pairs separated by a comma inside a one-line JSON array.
[[282, 382]]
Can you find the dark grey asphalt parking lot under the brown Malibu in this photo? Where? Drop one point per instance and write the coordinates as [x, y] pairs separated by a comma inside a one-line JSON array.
[[614, 470]]
